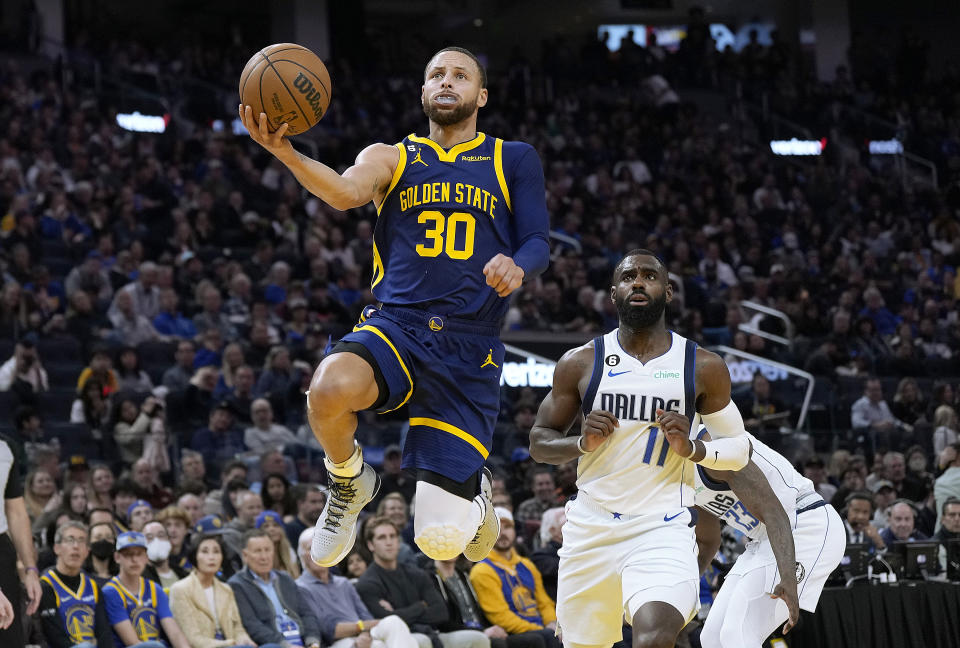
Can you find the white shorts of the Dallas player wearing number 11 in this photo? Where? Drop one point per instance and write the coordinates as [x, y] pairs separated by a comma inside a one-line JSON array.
[[613, 563]]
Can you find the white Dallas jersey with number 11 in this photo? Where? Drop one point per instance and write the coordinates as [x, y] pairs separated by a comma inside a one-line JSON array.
[[635, 472]]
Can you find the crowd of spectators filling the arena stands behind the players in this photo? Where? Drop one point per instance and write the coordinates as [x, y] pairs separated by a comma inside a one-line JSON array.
[[166, 298]]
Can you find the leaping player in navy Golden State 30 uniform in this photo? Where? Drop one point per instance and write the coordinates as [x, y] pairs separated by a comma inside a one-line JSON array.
[[462, 221]]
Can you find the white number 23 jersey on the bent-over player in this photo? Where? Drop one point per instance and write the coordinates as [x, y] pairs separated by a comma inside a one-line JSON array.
[[794, 491]]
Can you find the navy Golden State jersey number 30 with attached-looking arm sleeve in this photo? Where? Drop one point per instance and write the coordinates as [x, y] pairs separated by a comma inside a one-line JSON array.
[[446, 214]]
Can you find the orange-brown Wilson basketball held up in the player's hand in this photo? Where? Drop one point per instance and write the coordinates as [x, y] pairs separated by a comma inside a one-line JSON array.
[[289, 83]]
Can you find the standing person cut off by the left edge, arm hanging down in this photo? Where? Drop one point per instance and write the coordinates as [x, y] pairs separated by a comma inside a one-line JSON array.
[[15, 540]]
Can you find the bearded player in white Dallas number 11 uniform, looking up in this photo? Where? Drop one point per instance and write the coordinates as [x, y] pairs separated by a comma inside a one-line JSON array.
[[628, 544]]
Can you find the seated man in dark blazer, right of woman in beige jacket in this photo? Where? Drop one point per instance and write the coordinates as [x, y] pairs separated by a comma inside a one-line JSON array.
[[270, 604]]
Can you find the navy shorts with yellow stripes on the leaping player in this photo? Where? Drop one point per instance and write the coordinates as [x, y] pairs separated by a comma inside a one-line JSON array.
[[447, 371]]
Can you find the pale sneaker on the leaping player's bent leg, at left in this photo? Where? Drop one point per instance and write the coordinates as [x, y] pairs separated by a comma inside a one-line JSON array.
[[336, 530]]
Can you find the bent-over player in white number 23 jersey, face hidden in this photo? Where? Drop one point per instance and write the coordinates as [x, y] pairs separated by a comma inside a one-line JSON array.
[[746, 610]]
